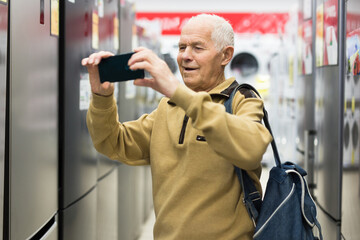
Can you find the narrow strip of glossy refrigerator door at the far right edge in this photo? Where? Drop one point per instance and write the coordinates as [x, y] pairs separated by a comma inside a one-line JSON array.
[[351, 174]]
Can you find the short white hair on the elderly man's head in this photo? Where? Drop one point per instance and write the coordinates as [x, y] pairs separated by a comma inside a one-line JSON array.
[[223, 33]]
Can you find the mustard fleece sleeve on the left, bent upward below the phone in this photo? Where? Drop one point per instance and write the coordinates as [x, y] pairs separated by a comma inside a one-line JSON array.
[[126, 142]]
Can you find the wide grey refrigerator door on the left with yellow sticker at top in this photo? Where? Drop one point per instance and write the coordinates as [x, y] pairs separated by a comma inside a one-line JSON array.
[[33, 117]]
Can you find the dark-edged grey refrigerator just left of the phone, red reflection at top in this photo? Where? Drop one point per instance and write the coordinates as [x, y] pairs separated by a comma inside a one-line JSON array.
[[77, 156]]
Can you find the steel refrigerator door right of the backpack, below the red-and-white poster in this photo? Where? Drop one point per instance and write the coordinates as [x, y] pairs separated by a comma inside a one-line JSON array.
[[329, 149]]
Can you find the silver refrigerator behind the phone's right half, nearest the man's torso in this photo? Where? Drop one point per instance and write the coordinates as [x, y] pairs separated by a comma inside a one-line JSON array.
[[130, 179]]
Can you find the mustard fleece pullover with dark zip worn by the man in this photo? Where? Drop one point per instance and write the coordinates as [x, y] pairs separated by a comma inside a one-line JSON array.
[[191, 144]]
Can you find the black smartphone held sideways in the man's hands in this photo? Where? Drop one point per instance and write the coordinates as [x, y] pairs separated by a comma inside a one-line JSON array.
[[116, 69]]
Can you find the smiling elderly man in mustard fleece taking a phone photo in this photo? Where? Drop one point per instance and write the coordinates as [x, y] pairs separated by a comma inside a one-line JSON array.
[[190, 141]]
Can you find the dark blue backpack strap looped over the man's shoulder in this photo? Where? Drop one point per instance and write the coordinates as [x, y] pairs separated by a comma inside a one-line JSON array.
[[252, 198]]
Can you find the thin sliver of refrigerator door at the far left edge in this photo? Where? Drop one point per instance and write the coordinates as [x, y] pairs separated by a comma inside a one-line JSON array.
[[3, 60]]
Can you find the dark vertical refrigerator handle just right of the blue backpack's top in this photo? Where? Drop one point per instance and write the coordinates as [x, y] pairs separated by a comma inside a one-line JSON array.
[[309, 154]]
